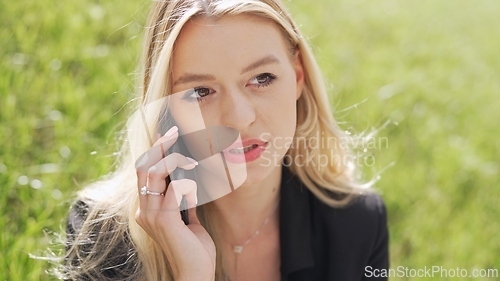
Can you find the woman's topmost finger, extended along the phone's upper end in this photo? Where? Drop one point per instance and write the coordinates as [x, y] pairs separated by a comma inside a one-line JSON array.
[[157, 151]]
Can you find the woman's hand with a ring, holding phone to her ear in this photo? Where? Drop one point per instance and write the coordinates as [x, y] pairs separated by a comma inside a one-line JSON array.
[[189, 248]]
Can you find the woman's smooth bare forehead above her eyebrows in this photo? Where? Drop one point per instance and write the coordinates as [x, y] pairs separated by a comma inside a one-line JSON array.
[[229, 41]]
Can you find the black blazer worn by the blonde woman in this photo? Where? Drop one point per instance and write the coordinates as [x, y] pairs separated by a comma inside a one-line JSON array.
[[318, 242]]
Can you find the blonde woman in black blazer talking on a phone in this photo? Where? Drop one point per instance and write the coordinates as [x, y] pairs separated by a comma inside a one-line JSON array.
[[290, 216]]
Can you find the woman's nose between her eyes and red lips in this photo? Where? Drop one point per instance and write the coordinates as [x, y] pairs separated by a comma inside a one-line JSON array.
[[238, 110]]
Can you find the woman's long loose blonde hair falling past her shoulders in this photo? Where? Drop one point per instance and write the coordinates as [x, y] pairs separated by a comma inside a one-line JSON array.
[[114, 200]]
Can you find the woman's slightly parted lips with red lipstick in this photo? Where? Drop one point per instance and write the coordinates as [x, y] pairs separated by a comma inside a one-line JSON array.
[[247, 150]]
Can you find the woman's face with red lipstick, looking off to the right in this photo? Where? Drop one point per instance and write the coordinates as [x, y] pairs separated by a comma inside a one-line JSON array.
[[244, 77]]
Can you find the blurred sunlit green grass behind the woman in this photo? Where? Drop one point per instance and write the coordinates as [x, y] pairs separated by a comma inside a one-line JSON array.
[[429, 69]]
